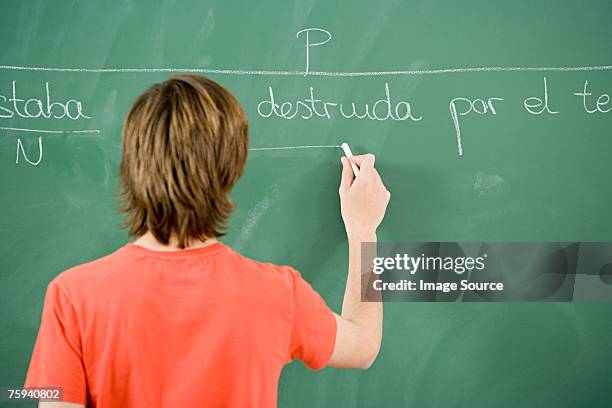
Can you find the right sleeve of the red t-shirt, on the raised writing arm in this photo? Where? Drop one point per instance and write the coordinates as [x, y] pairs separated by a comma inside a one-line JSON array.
[[313, 334]]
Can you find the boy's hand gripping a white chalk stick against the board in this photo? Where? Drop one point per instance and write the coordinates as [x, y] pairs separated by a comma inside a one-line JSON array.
[[363, 199]]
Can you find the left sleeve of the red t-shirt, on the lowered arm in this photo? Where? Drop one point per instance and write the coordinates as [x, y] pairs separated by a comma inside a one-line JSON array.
[[57, 358]]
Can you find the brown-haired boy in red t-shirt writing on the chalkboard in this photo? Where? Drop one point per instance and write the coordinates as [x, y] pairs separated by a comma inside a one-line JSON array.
[[176, 318]]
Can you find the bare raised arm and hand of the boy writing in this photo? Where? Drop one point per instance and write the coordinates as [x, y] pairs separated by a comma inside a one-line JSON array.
[[359, 327]]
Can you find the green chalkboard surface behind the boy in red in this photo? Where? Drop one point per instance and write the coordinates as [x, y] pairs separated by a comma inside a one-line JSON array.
[[493, 126]]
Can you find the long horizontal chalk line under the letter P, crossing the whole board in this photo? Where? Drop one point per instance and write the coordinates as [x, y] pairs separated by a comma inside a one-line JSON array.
[[309, 73]]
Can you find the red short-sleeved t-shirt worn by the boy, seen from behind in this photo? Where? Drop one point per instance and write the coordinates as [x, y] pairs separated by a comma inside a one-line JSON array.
[[192, 328]]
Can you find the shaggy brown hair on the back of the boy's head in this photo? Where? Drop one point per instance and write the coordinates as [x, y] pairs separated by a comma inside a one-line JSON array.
[[185, 143]]
